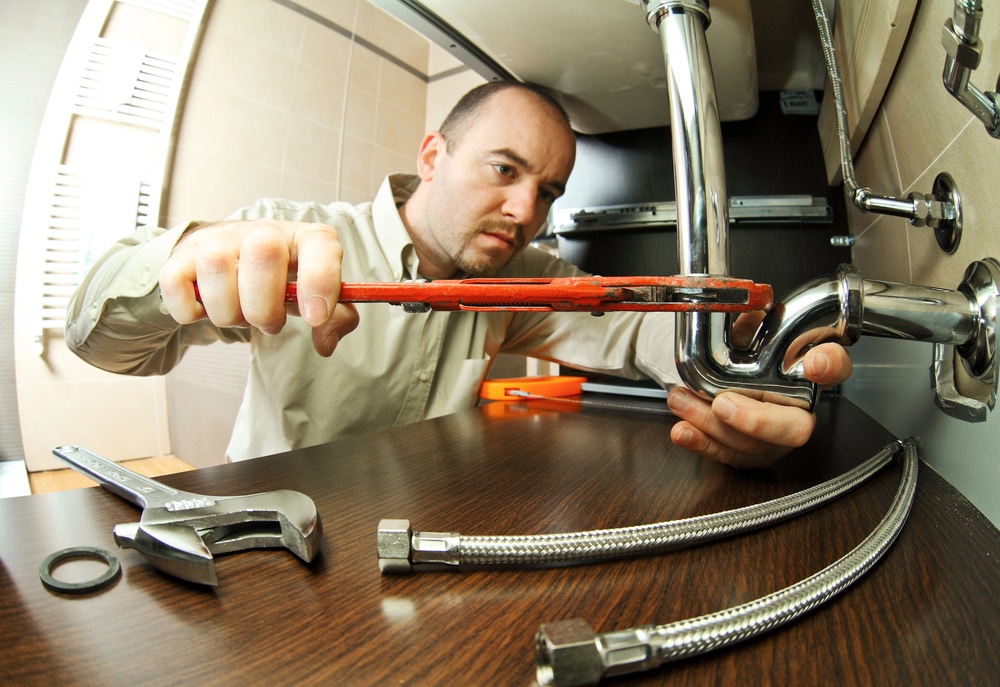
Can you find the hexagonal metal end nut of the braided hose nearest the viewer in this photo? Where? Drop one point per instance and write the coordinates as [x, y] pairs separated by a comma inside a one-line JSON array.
[[566, 655]]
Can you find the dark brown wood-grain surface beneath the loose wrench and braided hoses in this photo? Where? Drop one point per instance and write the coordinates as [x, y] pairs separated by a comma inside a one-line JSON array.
[[927, 614]]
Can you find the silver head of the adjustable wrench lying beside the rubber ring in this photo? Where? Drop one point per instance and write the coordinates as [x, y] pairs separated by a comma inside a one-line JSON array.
[[180, 537]]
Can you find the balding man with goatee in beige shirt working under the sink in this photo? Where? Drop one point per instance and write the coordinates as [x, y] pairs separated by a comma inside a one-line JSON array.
[[485, 183]]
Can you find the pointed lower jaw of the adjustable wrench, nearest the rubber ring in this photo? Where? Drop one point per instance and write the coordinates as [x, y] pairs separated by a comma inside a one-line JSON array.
[[176, 550]]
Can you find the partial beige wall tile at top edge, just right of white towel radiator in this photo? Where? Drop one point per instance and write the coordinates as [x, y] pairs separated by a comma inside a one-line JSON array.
[[266, 24]]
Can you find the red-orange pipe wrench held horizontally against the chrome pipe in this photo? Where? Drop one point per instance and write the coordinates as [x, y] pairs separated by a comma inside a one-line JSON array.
[[593, 294]]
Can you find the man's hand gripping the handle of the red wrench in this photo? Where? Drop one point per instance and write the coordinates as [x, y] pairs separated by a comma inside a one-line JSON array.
[[242, 269]]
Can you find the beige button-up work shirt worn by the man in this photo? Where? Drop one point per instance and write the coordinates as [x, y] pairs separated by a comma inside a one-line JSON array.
[[395, 368]]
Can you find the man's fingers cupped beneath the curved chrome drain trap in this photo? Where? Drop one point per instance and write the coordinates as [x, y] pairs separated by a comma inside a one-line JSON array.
[[737, 430]]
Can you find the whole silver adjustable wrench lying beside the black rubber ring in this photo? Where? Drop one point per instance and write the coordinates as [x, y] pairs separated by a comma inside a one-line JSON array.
[[179, 531]]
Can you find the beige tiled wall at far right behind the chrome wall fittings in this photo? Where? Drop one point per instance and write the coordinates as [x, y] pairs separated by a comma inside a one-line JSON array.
[[931, 132]]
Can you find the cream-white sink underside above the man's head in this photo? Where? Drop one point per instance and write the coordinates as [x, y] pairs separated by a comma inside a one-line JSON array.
[[602, 56]]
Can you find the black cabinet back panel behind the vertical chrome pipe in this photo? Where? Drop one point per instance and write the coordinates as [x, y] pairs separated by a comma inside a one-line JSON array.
[[770, 154]]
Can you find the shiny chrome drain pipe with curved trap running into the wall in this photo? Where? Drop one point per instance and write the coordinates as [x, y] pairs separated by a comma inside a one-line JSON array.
[[838, 308]]
